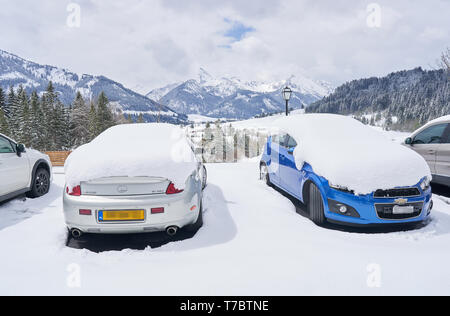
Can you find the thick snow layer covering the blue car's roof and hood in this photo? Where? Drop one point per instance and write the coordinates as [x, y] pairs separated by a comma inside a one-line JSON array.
[[350, 154]]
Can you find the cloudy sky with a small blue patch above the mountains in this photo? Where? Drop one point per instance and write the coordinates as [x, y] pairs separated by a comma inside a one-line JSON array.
[[147, 44]]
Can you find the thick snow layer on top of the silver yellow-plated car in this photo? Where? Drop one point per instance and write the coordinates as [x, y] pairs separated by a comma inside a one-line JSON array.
[[134, 150]]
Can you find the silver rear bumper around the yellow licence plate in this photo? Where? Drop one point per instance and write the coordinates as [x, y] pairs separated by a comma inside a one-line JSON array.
[[177, 212]]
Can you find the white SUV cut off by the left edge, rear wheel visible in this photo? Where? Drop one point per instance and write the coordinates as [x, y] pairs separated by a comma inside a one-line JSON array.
[[22, 170]]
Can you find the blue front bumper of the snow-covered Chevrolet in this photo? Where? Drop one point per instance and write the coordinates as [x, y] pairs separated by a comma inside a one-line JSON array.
[[365, 206]]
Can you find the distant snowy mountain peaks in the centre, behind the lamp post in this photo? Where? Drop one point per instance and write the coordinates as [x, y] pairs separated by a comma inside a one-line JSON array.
[[236, 99]]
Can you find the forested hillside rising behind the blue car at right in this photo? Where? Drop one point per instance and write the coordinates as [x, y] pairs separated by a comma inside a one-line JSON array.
[[412, 97]]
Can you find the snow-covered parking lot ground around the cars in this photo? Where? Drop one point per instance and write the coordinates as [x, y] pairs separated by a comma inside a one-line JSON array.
[[253, 243]]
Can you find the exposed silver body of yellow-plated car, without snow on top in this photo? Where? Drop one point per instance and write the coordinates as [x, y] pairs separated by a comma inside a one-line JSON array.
[[121, 205]]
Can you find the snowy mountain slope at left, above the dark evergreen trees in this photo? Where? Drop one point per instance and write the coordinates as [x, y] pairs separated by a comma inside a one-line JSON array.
[[15, 71]]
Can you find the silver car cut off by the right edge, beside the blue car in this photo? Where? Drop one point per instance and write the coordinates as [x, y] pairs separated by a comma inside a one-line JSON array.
[[432, 142]]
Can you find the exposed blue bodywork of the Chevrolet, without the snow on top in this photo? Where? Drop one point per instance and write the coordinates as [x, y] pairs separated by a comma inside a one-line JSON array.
[[327, 202]]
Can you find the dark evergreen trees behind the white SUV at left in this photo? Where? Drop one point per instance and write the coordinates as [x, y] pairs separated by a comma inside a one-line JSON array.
[[44, 123]]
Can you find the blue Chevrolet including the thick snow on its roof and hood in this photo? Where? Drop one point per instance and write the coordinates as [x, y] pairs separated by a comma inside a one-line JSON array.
[[346, 172]]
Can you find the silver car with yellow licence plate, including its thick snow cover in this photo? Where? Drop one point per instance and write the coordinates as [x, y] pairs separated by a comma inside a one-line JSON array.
[[134, 178]]
